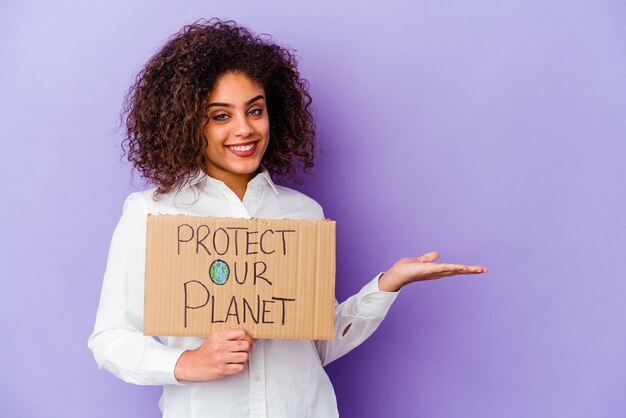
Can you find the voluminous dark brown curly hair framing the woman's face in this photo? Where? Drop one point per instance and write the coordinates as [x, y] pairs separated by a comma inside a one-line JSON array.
[[165, 110]]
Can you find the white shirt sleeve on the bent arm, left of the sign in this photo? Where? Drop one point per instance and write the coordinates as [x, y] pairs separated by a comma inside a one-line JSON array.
[[117, 342]]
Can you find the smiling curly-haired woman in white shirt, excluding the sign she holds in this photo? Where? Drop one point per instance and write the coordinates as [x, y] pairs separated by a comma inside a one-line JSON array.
[[211, 119]]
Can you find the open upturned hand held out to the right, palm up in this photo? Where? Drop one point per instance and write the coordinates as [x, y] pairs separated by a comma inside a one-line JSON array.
[[408, 270]]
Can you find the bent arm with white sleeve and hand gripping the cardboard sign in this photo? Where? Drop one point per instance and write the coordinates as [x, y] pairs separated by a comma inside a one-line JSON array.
[[118, 343]]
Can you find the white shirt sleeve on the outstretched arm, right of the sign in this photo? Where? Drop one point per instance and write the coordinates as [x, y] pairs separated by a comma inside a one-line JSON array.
[[362, 313]]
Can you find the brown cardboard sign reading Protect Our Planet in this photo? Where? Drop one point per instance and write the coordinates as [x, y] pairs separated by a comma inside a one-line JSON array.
[[273, 278]]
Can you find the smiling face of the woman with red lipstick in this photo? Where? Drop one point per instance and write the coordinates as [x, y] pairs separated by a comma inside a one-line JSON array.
[[238, 128]]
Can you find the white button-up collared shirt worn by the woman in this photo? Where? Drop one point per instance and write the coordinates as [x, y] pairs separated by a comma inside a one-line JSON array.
[[283, 378]]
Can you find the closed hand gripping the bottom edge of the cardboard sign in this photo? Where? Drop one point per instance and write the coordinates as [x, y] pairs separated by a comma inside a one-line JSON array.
[[222, 354]]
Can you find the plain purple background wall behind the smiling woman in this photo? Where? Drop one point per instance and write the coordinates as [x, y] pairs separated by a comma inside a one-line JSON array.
[[493, 133]]
